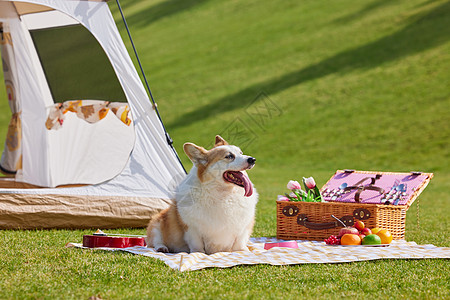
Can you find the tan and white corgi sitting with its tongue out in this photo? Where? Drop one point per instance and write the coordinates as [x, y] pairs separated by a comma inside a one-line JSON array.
[[214, 207]]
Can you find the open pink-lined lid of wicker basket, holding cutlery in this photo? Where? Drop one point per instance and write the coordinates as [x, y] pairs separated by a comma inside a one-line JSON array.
[[375, 187]]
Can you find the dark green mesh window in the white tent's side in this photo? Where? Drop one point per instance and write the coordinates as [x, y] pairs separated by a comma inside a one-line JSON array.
[[75, 65]]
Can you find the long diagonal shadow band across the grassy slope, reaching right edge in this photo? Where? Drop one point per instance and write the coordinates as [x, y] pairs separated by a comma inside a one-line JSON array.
[[426, 30]]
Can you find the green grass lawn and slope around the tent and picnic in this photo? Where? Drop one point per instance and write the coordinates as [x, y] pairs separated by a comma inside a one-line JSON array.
[[337, 84]]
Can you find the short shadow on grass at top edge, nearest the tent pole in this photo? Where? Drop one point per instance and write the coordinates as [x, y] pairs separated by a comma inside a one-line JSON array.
[[161, 10]]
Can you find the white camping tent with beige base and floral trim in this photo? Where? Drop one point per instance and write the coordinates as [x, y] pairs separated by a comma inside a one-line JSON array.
[[81, 159]]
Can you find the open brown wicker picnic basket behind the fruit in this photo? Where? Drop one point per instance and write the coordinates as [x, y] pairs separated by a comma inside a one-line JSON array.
[[314, 221]]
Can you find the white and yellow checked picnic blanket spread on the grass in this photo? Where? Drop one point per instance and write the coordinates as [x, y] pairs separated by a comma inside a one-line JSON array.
[[308, 252]]
